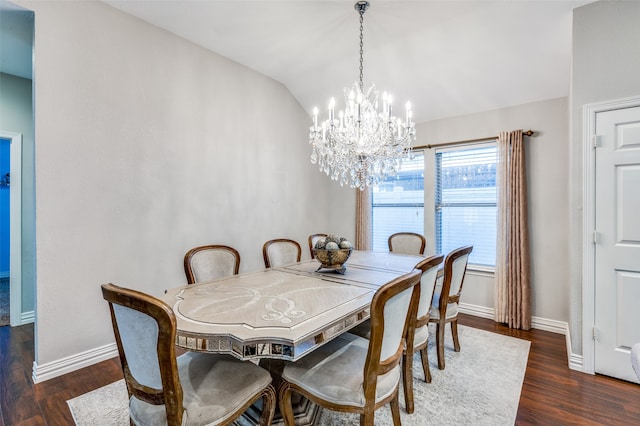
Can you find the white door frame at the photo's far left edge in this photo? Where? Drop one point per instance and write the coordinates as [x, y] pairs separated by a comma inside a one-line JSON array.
[[15, 226]]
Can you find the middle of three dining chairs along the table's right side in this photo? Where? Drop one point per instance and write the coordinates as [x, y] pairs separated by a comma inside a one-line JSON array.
[[429, 268]]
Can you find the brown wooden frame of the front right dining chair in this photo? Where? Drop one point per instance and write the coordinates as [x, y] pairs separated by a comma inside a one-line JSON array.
[[374, 366]]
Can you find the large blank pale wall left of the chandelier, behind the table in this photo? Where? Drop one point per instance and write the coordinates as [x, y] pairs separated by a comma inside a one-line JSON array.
[[146, 146]]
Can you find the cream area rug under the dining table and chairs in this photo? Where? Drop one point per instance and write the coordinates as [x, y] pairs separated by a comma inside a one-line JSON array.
[[480, 386]]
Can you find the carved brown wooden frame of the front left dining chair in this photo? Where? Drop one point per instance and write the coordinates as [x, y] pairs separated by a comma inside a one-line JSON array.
[[171, 394]]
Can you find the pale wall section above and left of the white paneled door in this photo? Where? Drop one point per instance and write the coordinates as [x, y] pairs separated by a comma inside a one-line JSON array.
[[606, 66]]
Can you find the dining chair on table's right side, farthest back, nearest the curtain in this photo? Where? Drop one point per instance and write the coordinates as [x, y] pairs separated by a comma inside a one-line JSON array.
[[444, 308]]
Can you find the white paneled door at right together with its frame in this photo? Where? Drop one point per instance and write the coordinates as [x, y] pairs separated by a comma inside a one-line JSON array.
[[611, 264]]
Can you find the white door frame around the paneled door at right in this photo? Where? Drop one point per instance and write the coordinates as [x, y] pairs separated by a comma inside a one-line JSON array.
[[590, 112]]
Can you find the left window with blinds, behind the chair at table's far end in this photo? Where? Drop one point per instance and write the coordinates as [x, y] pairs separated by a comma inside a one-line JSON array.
[[398, 203]]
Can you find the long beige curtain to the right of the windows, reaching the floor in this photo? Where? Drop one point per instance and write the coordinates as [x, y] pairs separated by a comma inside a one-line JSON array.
[[512, 293]]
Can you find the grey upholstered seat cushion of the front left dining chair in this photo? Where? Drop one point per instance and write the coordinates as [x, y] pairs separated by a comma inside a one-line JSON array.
[[214, 387]]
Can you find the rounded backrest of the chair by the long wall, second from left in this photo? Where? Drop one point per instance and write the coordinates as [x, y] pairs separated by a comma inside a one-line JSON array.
[[207, 263]]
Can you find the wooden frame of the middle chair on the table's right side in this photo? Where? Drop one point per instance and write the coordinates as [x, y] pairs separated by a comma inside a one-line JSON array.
[[407, 374]]
